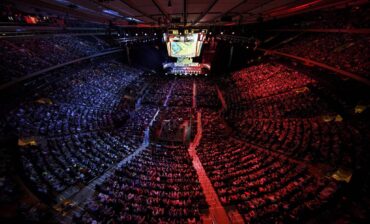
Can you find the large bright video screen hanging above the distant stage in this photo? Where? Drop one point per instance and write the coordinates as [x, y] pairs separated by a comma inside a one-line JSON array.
[[180, 46]]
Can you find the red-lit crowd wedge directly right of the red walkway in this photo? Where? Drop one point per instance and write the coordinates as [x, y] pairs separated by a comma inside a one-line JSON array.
[[263, 186]]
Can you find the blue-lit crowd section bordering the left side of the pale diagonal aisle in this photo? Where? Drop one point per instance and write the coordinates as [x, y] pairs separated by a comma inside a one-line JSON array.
[[72, 160]]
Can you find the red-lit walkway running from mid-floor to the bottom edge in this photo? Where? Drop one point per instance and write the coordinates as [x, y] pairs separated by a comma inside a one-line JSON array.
[[218, 214]]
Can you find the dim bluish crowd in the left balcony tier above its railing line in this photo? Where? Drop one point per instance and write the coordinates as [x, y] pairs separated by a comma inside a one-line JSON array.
[[22, 56]]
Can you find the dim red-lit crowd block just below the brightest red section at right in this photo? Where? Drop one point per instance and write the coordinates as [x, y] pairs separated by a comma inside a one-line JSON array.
[[310, 139]]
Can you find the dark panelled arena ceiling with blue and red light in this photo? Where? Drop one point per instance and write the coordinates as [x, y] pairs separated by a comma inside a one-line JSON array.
[[153, 13]]
